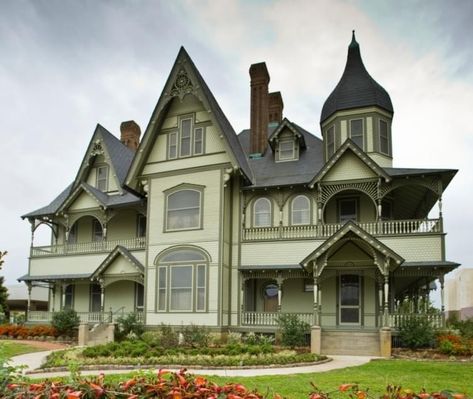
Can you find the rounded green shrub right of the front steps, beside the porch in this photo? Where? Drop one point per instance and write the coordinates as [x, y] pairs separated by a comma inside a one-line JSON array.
[[417, 332]]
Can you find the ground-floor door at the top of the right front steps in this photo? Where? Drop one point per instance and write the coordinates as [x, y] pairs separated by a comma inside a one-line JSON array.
[[349, 299]]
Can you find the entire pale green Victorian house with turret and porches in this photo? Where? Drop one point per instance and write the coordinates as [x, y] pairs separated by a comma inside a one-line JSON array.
[[198, 224]]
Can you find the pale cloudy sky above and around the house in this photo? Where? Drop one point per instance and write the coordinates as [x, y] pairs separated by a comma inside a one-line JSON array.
[[67, 65]]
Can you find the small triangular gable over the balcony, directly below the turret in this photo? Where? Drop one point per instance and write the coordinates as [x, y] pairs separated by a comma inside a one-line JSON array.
[[350, 162]]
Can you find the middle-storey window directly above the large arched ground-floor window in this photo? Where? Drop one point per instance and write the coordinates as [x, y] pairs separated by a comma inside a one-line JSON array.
[[183, 210]]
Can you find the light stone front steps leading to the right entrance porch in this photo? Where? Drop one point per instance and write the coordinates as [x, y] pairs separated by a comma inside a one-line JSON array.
[[353, 343]]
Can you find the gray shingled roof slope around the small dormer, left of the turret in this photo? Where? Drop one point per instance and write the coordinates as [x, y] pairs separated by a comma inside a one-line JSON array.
[[267, 172]]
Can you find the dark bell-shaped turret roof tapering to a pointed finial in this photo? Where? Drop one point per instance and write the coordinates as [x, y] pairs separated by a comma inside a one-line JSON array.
[[356, 87]]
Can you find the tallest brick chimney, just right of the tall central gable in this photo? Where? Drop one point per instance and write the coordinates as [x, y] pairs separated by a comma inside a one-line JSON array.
[[259, 108]]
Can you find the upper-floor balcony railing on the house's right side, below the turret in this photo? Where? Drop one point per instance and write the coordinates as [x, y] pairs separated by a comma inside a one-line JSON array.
[[385, 227]]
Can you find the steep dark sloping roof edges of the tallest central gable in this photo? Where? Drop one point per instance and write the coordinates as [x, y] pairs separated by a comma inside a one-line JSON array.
[[202, 91]]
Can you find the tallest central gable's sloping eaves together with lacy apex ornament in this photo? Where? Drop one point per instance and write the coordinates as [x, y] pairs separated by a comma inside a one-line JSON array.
[[183, 83]]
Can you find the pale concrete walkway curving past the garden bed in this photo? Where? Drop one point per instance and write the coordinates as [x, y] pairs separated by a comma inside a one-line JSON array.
[[34, 360]]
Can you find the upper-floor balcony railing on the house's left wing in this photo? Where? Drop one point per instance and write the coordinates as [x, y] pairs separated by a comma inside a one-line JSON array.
[[87, 247]]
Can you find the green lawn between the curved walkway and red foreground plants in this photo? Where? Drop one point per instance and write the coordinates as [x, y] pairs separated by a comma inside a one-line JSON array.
[[376, 375]]
